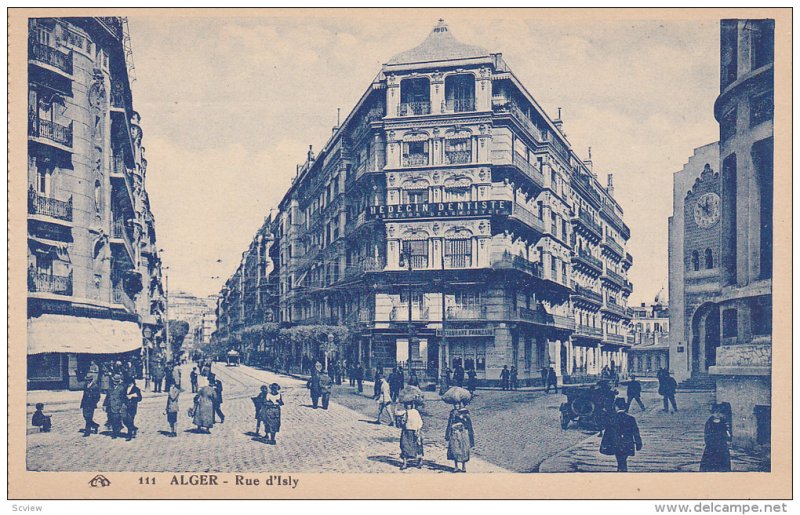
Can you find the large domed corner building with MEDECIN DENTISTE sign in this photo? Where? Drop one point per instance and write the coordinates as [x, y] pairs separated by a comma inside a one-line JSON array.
[[448, 221]]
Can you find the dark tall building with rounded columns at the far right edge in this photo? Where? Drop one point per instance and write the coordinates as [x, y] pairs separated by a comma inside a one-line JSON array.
[[744, 110]]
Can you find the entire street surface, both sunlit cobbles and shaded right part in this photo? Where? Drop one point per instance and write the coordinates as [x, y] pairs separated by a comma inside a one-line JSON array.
[[514, 432]]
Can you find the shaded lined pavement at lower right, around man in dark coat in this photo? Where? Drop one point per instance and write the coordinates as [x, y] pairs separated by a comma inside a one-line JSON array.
[[671, 442]]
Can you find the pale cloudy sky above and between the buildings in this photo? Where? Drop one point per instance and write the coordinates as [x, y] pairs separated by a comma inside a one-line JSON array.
[[229, 107]]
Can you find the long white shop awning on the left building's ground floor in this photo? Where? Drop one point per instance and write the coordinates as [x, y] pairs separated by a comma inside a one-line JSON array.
[[69, 334]]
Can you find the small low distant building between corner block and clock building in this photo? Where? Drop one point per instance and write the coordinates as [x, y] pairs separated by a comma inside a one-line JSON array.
[[650, 330]]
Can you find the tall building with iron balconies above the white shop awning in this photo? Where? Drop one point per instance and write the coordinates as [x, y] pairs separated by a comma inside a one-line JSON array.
[[94, 274]]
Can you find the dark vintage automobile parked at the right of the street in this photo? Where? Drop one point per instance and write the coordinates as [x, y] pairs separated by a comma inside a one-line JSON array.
[[588, 405]]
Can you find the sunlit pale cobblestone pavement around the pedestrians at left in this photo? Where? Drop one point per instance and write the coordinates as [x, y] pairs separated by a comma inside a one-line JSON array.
[[337, 440]]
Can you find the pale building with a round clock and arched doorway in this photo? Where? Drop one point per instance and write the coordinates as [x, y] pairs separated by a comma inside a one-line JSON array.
[[694, 254]]
